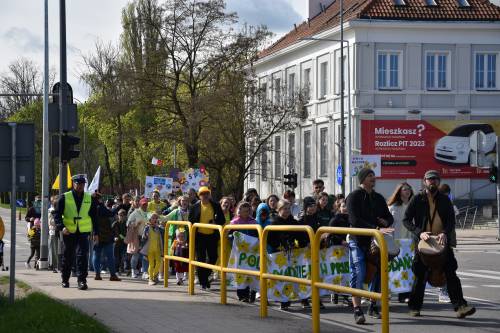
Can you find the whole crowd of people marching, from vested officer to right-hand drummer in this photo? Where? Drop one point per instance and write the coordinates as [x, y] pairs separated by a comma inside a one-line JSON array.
[[125, 236]]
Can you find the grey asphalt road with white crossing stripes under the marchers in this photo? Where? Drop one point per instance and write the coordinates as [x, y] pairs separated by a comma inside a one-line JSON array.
[[478, 261]]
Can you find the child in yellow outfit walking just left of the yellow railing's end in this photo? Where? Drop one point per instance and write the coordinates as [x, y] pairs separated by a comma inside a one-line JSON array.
[[153, 248]]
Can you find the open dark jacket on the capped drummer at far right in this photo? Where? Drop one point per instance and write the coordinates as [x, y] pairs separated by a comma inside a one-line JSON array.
[[417, 215]]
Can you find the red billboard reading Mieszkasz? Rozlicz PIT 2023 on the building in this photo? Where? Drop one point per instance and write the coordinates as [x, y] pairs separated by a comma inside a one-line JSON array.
[[457, 149]]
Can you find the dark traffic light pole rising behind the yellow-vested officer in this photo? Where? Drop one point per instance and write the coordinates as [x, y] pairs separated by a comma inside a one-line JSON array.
[[63, 92]]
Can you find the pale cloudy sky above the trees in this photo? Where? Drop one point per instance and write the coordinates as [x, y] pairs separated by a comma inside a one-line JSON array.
[[22, 29]]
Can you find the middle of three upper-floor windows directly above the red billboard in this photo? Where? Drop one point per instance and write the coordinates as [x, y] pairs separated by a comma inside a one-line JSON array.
[[437, 71]]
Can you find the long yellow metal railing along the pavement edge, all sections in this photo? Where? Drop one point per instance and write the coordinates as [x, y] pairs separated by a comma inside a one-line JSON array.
[[314, 281]]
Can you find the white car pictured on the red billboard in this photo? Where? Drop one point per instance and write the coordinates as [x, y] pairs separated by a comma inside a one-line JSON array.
[[467, 144]]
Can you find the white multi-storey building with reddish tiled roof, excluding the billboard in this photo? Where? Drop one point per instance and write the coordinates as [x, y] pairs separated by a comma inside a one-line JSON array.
[[400, 63]]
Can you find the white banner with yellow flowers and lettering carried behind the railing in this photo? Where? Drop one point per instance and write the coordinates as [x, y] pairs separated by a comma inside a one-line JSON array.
[[334, 268]]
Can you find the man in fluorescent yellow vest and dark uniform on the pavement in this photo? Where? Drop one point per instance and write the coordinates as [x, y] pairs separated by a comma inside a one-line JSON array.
[[75, 218]]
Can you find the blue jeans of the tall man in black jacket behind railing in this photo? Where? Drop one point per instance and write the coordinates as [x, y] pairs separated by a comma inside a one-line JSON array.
[[357, 262]]
